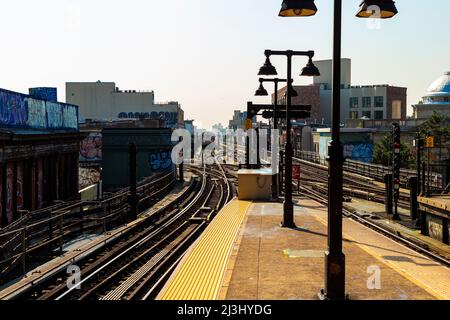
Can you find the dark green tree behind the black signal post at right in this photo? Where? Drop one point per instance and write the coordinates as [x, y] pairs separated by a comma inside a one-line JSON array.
[[382, 153]]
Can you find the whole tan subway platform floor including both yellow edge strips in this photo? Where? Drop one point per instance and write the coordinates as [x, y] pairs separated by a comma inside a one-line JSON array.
[[244, 254]]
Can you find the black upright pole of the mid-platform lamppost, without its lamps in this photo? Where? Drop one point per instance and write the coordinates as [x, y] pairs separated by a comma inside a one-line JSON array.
[[288, 206]]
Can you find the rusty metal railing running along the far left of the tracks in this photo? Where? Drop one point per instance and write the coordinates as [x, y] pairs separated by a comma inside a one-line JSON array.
[[47, 229]]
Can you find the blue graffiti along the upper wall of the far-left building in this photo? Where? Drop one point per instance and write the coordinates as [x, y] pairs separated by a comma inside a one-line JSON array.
[[20, 111]]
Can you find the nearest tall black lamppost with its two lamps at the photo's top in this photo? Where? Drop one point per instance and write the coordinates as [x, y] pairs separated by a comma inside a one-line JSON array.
[[334, 258]]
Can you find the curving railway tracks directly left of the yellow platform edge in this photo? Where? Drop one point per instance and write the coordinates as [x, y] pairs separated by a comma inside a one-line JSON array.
[[134, 265]]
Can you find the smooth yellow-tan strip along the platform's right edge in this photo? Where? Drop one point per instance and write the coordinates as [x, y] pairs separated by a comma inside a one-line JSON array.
[[420, 270]]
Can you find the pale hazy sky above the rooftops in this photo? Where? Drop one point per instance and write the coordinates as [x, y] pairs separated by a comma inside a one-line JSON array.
[[206, 53]]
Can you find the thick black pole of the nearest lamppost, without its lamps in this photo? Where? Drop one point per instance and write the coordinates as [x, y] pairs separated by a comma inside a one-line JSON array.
[[334, 257]]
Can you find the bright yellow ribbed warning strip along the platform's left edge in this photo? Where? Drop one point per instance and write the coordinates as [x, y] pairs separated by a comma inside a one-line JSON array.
[[199, 275]]
